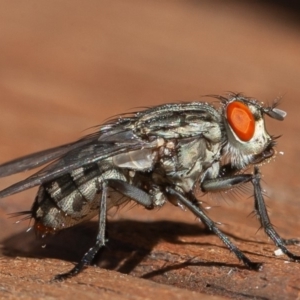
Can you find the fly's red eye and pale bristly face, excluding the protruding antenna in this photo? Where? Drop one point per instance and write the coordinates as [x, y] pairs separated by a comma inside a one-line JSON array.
[[246, 133]]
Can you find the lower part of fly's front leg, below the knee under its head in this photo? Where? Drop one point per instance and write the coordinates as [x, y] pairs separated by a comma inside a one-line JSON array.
[[262, 213]]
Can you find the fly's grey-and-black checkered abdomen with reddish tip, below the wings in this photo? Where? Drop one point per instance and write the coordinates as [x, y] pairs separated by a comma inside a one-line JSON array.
[[73, 198]]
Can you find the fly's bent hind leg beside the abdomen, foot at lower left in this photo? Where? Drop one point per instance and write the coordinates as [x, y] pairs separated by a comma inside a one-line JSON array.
[[126, 189]]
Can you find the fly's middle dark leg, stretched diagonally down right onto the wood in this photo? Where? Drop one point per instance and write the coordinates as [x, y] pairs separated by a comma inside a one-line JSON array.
[[196, 209]]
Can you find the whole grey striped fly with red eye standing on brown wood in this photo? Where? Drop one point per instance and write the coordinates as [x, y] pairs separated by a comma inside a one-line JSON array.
[[164, 153]]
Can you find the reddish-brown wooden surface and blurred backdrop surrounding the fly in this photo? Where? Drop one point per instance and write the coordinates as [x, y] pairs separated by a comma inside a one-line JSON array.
[[68, 65]]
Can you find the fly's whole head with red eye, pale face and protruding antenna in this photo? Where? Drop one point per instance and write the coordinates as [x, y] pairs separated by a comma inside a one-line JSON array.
[[247, 140]]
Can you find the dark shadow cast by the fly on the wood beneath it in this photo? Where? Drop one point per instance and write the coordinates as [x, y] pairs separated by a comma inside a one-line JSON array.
[[129, 243]]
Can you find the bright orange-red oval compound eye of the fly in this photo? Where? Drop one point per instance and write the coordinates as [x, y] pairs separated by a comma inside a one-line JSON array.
[[241, 120]]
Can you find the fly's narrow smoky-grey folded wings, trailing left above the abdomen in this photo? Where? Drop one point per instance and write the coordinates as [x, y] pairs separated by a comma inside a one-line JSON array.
[[70, 157]]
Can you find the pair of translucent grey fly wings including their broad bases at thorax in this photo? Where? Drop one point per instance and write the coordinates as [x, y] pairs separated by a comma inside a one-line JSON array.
[[111, 139]]
